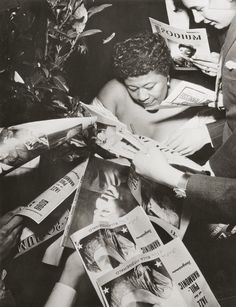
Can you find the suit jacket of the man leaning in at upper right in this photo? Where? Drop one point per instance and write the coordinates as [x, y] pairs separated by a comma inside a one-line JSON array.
[[220, 131]]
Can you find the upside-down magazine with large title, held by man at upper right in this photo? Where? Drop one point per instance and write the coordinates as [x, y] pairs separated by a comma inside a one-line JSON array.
[[183, 44]]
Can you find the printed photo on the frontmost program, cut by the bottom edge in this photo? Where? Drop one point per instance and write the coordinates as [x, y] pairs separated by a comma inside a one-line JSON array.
[[145, 284]]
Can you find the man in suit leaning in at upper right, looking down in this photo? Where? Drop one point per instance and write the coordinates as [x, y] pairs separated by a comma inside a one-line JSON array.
[[219, 14]]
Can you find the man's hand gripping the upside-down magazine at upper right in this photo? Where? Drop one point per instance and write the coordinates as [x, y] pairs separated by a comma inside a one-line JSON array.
[[208, 67]]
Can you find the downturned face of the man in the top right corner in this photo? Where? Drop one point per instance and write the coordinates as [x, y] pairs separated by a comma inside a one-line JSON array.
[[217, 13]]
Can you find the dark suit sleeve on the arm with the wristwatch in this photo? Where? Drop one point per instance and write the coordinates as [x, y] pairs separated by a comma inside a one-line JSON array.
[[212, 198]]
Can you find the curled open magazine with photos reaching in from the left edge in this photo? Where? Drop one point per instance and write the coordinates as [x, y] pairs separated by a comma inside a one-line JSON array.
[[22, 143]]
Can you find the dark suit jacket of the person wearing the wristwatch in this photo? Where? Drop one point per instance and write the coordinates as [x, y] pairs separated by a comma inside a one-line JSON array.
[[215, 197]]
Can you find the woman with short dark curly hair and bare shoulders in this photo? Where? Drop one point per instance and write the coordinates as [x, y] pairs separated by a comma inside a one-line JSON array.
[[142, 65]]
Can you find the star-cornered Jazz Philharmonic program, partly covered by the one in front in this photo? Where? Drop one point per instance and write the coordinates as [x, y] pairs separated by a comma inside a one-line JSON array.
[[104, 246]]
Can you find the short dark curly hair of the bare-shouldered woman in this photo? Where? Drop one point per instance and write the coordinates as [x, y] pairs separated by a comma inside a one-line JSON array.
[[140, 54]]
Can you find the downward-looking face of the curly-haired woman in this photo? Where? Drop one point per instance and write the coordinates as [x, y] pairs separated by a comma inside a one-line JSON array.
[[147, 90]]
